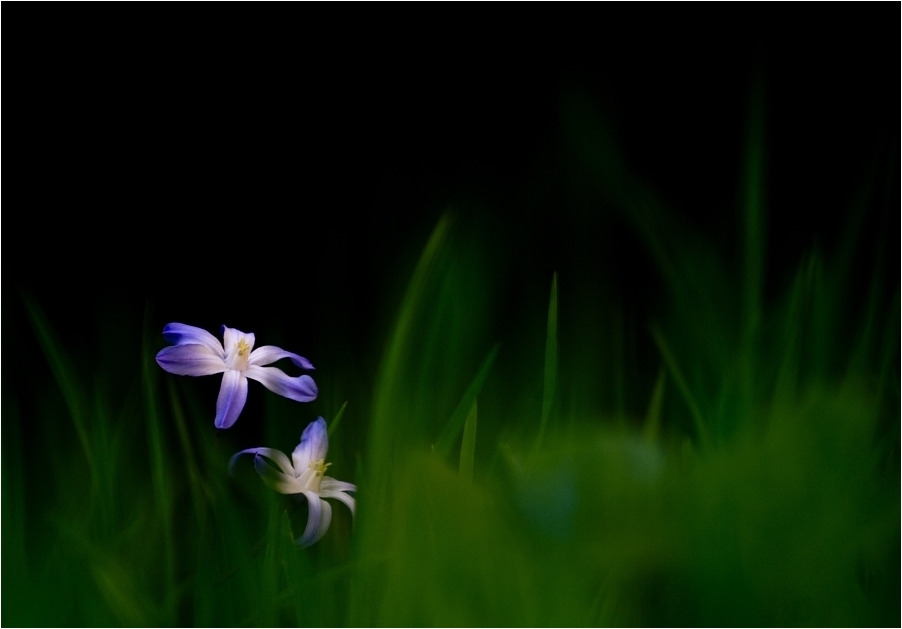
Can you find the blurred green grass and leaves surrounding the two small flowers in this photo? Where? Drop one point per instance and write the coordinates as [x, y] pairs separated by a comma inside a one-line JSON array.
[[755, 484]]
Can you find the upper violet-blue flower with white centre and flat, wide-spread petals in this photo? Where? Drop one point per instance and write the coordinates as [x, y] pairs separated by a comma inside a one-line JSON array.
[[198, 353]]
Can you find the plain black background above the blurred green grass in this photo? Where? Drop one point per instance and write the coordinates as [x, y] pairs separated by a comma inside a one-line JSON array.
[[211, 174]]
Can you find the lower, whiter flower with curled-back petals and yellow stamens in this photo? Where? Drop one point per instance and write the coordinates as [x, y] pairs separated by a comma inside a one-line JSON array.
[[304, 474]]
